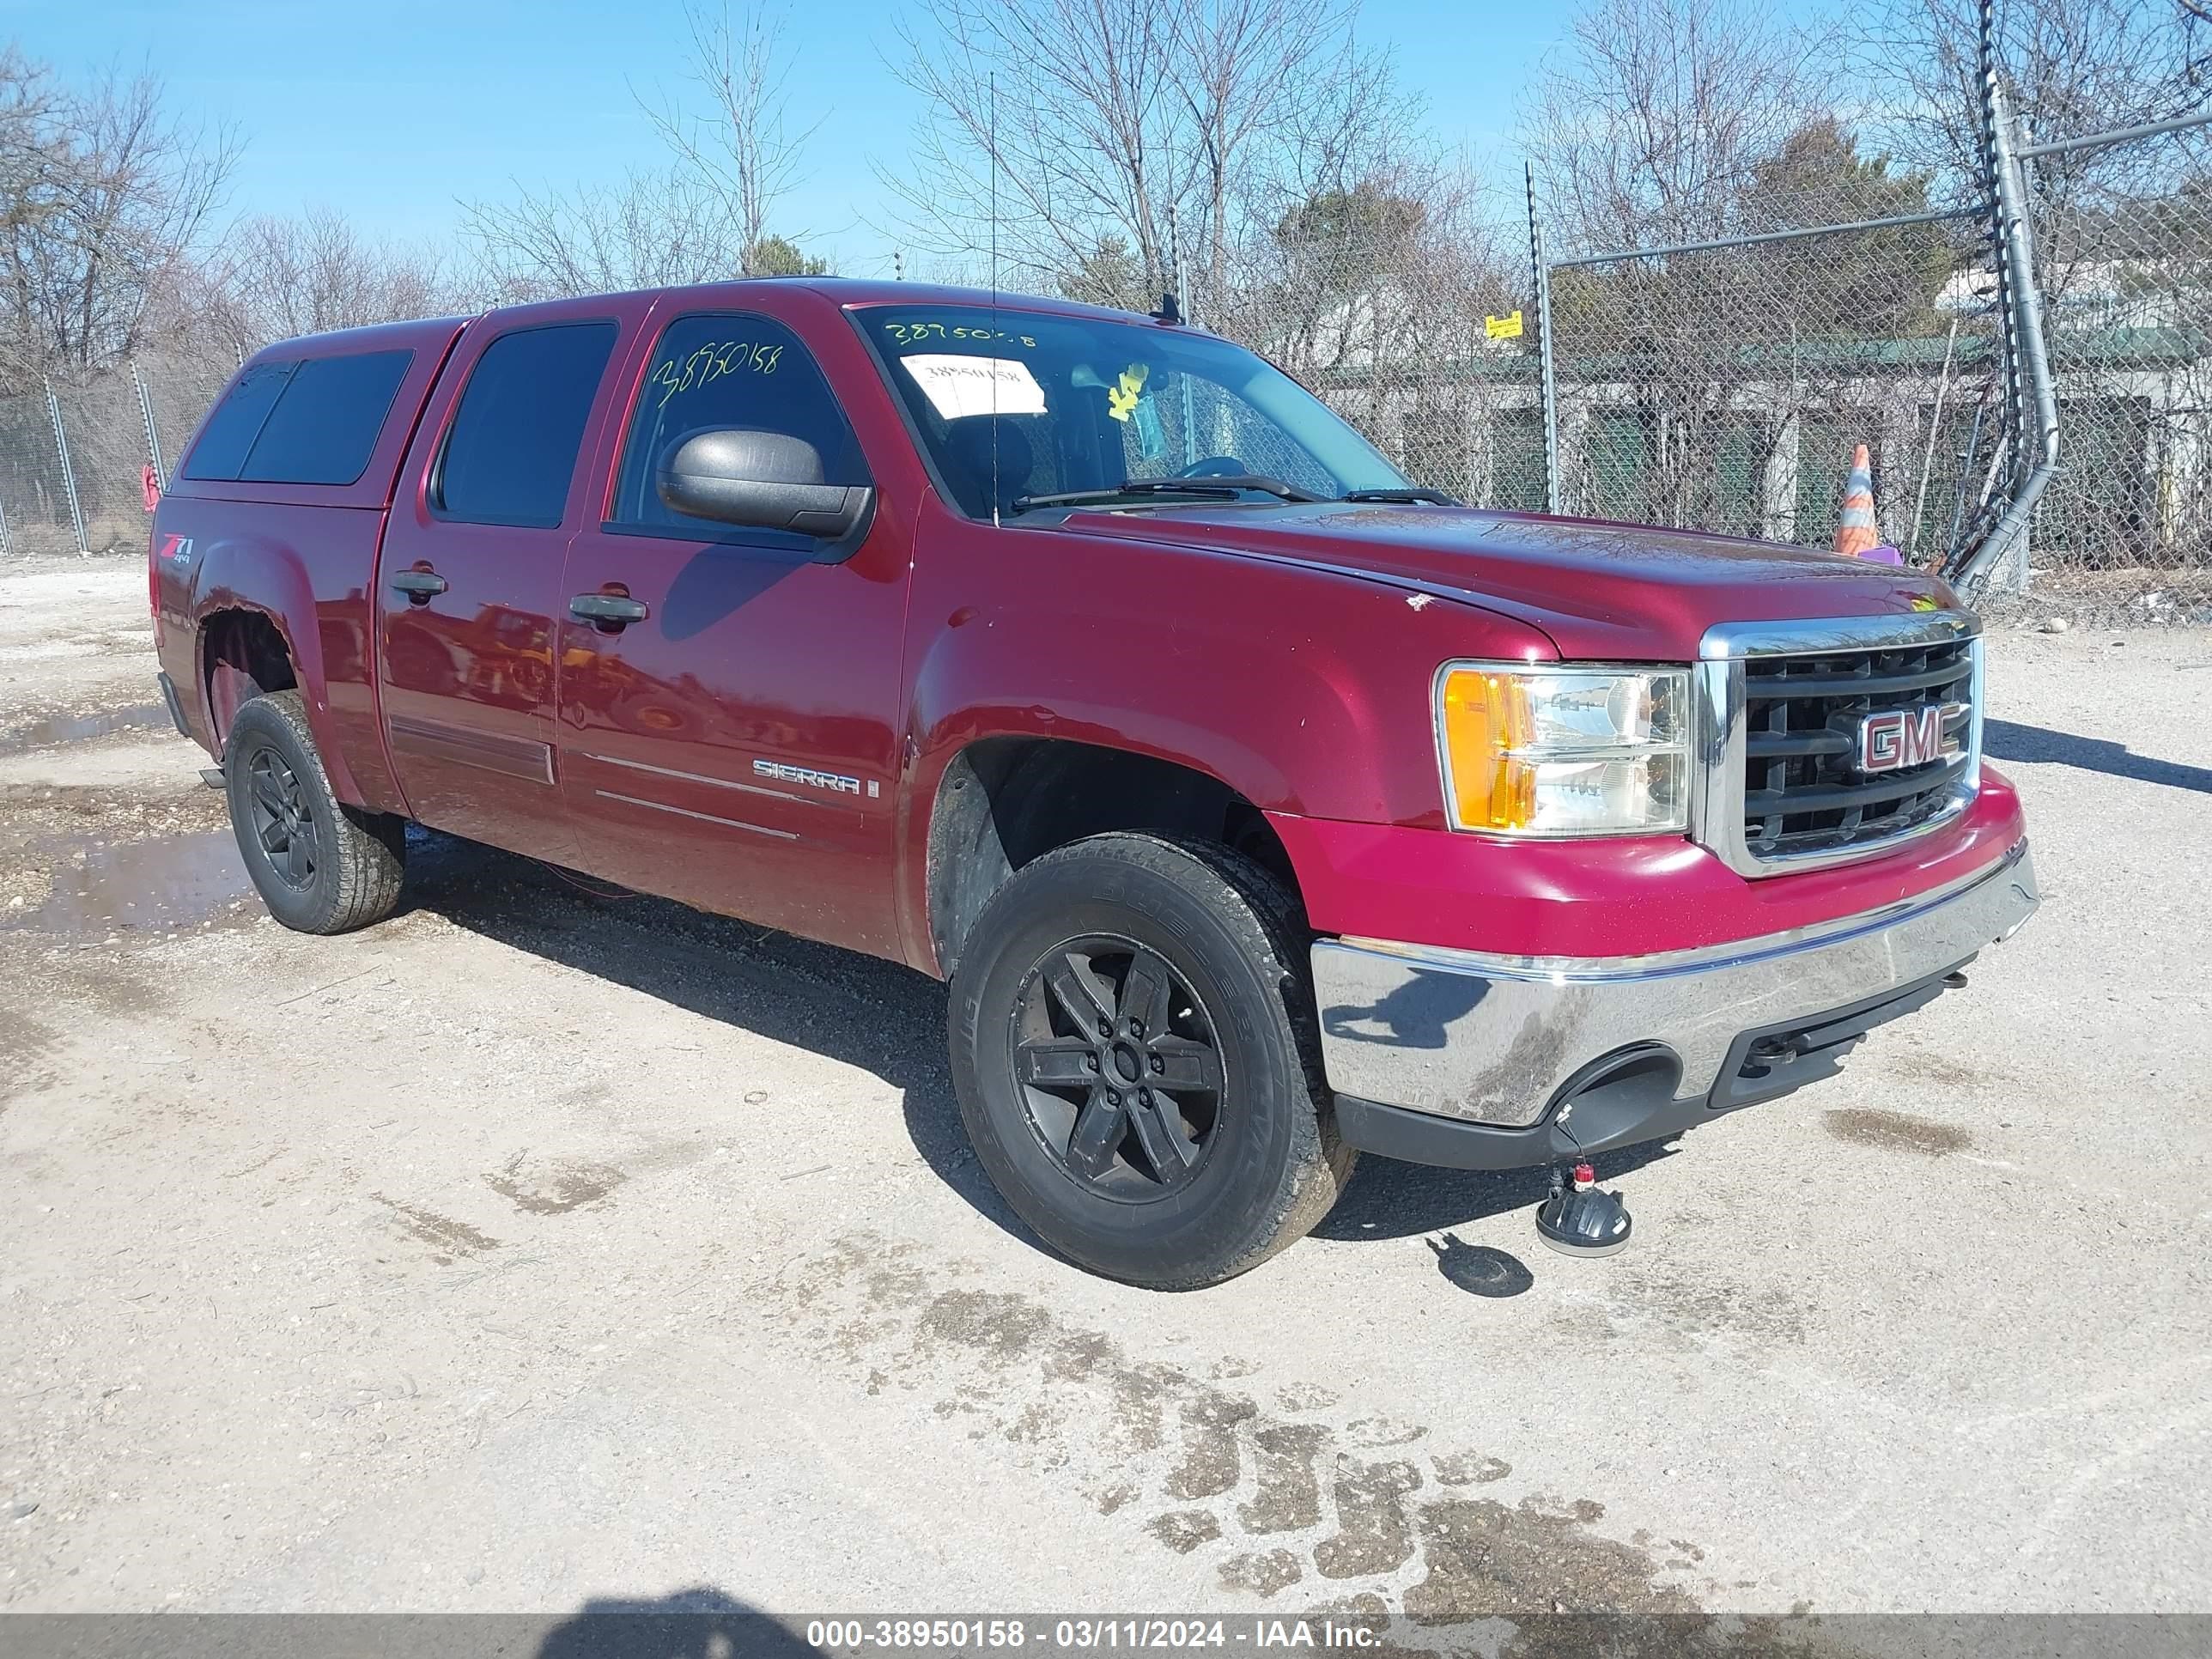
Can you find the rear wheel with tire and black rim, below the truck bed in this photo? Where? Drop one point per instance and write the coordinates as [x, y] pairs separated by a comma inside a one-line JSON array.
[[317, 864]]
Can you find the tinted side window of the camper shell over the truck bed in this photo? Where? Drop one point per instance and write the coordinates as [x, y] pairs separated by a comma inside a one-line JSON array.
[[317, 421]]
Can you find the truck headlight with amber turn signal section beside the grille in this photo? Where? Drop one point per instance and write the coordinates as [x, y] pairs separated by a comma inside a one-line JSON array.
[[1534, 751]]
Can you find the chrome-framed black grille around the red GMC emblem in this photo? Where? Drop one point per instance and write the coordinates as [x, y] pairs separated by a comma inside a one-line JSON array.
[[1782, 735]]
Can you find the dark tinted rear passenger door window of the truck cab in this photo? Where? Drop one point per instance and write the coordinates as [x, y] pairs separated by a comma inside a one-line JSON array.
[[512, 448]]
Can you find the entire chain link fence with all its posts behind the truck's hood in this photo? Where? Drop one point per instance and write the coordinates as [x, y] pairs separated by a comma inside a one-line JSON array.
[[1726, 384]]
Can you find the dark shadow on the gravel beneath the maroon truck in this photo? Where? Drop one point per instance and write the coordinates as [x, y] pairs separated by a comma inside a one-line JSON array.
[[855, 1010]]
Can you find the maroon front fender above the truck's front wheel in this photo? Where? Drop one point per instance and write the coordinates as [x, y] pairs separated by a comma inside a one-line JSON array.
[[1302, 691]]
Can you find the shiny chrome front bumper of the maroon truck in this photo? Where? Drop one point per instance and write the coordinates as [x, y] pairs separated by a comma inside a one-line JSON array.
[[1496, 1039]]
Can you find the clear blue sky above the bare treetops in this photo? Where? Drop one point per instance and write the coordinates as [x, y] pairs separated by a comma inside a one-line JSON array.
[[390, 112]]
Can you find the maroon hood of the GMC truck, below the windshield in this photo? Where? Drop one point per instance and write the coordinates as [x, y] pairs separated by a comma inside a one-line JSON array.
[[1600, 592]]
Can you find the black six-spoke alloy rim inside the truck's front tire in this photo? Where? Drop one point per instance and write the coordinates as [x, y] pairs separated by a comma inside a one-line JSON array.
[[1118, 1067]]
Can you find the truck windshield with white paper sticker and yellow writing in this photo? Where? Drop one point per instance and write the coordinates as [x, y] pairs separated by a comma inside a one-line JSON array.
[[1019, 408]]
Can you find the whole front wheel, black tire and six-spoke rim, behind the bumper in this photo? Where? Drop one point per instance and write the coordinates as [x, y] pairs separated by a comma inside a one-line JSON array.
[[1136, 1061]]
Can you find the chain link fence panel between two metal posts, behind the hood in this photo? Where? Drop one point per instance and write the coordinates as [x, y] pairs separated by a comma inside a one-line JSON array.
[[1726, 388]]
